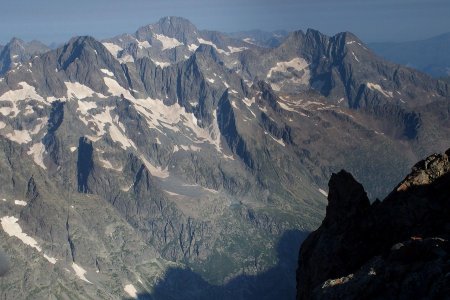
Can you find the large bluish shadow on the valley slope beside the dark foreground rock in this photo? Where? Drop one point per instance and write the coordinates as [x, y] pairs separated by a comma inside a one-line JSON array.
[[277, 282]]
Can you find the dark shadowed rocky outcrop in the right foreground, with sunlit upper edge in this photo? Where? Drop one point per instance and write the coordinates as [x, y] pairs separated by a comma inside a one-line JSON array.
[[397, 248]]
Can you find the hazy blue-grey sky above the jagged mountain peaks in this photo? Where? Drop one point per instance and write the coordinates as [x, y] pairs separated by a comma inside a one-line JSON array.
[[372, 20]]
